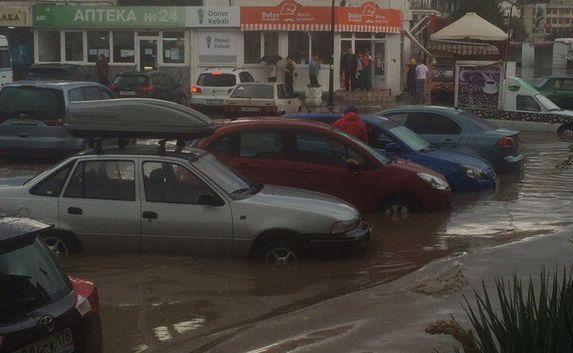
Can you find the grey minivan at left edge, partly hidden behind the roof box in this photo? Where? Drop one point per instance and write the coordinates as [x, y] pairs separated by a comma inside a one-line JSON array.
[[32, 116]]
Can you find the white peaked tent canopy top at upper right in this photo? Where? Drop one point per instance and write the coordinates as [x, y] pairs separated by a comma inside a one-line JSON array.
[[471, 26]]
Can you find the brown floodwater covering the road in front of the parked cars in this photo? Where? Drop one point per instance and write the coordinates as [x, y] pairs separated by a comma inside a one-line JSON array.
[[148, 300]]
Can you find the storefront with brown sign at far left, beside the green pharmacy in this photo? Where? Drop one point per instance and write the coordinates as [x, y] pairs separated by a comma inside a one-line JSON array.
[[16, 26]]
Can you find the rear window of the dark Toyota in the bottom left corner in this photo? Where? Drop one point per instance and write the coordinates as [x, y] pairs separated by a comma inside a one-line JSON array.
[[29, 277]]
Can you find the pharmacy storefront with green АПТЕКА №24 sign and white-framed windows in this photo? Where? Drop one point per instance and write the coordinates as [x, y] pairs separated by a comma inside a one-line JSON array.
[[131, 38]]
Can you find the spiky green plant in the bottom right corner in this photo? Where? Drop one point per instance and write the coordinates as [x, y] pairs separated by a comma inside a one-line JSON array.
[[525, 322]]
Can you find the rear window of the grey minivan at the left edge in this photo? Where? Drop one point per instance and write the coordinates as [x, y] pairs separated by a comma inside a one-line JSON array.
[[31, 100]]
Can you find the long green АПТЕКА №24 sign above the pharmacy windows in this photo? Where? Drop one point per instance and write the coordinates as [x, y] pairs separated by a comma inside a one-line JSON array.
[[61, 16]]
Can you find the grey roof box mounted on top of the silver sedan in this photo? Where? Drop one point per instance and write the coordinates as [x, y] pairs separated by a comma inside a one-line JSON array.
[[136, 118]]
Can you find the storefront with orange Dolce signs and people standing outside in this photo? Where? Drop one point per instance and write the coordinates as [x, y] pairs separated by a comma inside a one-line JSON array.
[[290, 29]]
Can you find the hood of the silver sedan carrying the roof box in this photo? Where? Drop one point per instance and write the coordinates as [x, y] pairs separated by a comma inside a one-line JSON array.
[[303, 200]]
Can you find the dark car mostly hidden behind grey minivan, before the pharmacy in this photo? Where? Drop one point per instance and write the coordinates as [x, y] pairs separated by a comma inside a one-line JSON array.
[[58, 72]]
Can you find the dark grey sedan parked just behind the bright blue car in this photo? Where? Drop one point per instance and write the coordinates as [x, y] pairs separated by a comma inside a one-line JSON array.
[[456, 129]]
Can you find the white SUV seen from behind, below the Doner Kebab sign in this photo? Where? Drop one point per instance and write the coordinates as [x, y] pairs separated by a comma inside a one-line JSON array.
[[215, 85]]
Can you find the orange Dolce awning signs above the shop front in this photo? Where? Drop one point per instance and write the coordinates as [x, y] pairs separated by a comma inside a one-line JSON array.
[[291, 16]]
